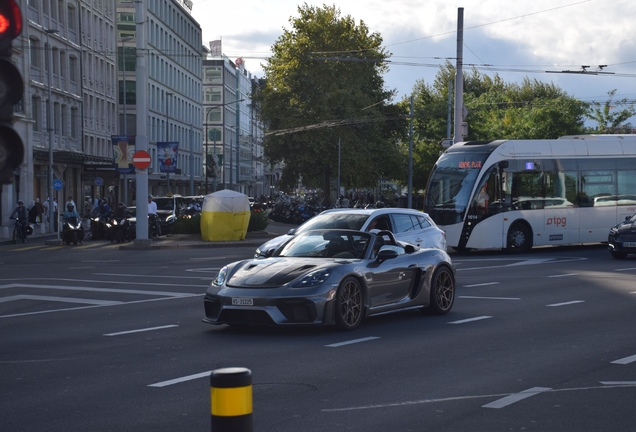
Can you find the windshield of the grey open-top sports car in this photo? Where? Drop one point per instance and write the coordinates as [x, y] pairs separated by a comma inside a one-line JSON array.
[[327, 244]]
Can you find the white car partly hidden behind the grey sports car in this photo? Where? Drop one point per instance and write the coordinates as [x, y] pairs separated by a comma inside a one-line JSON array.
[[407, 225]]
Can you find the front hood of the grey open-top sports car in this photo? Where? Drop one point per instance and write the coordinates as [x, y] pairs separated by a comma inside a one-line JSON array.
[[273, 272]]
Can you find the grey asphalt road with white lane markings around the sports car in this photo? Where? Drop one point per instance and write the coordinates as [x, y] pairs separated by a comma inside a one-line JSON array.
[[102, 339]]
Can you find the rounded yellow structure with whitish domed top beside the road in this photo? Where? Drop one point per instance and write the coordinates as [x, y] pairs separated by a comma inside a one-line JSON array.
[[225, 215]]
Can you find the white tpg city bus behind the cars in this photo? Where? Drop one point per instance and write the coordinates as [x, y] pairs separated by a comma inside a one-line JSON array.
[[515, 194]]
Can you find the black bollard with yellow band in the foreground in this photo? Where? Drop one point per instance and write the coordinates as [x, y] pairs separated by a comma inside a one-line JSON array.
[[231, 400]]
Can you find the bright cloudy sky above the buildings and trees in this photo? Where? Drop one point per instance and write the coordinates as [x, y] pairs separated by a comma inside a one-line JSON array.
[[514, 39]]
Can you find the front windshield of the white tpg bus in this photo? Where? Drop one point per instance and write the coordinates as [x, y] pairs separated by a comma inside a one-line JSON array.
[[450, 186]]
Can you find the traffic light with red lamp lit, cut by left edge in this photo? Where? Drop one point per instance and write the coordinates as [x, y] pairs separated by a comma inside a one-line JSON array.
[[11, 90]]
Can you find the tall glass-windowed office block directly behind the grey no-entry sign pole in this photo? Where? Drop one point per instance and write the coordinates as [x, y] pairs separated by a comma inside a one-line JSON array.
[[174, 92]]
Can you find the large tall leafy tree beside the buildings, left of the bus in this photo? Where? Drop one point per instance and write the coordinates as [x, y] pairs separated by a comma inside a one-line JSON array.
[[324, 84]]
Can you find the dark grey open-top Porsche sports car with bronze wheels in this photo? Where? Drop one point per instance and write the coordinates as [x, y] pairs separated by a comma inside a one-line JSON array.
[[332, 277]]
